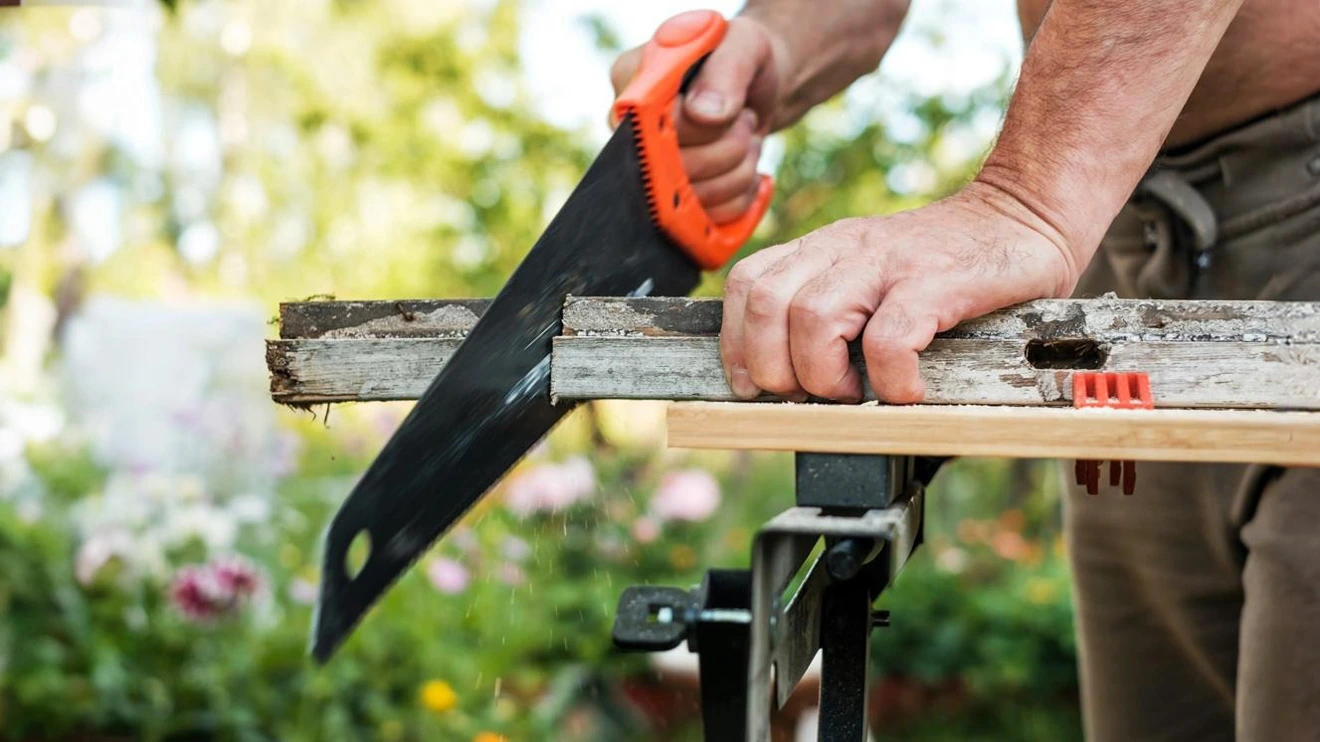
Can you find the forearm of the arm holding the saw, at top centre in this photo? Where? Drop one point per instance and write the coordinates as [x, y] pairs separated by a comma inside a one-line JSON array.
[[822, 48]]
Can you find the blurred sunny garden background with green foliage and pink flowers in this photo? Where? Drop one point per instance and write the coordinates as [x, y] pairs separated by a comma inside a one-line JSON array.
[[171, 171]]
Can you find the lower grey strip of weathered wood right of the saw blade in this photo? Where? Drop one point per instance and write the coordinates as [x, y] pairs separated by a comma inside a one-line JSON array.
[[962, 372]]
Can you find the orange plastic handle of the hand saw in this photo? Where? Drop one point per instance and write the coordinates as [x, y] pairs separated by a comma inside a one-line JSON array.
[[679, 44]]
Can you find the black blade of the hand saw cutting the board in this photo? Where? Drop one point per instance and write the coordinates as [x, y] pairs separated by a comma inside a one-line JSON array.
[[492, 402]]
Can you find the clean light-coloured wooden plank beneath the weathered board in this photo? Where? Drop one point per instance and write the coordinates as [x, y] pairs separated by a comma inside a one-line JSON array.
[[1290, 439]]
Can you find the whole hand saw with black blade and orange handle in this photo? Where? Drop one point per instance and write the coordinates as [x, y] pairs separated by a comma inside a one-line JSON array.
[[632, 228]]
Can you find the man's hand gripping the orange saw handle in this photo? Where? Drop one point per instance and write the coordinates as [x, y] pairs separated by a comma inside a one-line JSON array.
[[725, 116]]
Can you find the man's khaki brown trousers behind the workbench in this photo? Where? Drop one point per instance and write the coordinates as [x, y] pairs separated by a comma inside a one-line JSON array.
[[1199, 599]]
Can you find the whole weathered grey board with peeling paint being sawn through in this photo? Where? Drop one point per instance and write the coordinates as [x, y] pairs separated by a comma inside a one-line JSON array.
[[1199, 353]]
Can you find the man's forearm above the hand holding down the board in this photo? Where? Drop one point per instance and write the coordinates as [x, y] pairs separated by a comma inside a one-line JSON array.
[[1102, 86]]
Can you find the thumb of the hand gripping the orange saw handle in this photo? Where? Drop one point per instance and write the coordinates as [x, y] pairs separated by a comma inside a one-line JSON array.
[[721, 90]]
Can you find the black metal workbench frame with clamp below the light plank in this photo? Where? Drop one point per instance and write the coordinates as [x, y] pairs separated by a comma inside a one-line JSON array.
[[717, 619]]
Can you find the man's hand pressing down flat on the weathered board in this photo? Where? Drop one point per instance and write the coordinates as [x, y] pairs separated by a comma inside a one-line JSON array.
[[893, 282]]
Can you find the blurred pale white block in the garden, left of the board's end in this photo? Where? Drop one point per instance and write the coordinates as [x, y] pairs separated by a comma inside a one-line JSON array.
[[174, 390]]
